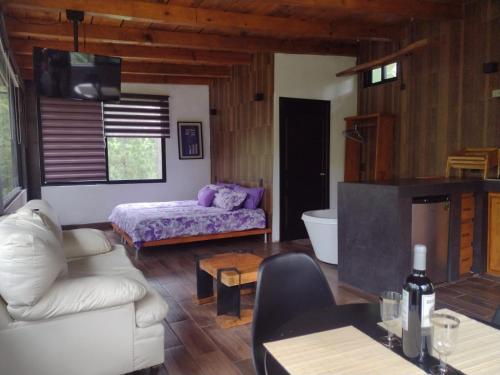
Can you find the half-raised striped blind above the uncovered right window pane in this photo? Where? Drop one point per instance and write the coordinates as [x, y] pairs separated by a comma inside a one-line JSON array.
[[137, 116]]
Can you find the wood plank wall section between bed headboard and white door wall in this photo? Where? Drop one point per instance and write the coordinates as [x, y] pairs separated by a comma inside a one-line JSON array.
[[242, 129]]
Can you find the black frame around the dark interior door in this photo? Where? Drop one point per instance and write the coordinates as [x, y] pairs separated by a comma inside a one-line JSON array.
[[281, 161]]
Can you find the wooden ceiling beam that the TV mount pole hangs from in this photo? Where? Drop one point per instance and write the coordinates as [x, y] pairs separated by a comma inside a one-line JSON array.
[[215, 19]]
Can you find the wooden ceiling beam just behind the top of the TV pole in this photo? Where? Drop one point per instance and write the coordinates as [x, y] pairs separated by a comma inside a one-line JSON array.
[[110, 34]]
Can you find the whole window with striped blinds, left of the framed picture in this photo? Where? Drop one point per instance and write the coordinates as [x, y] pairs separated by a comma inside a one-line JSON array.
[[93, 142]]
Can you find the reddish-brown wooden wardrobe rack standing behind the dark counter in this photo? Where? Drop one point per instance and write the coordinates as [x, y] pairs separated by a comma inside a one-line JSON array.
[[369, 146]]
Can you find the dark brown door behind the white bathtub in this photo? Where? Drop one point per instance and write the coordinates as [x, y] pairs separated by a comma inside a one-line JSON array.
[[304, 162]]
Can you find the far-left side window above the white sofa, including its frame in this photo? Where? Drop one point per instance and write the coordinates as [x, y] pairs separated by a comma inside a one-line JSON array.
[[9, 172]]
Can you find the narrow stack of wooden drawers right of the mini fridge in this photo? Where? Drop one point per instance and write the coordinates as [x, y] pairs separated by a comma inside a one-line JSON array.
[[466, 232]]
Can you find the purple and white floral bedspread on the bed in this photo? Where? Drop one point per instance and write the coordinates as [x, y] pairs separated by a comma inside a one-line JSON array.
[[162, 220]]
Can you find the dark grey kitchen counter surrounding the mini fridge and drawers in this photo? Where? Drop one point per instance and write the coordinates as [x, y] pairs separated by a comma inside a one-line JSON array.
[[374, 228]]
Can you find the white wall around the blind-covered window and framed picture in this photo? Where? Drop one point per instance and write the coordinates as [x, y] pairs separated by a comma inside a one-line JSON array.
[[80, 204]]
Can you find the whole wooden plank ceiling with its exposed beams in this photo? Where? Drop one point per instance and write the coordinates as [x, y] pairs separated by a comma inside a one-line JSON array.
[[194, 41]]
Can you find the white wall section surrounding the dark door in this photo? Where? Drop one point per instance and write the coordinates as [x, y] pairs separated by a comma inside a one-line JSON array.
[[313, 77]]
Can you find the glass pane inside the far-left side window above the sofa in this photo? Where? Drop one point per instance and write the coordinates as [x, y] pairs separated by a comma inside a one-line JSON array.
[[8, 168]]
